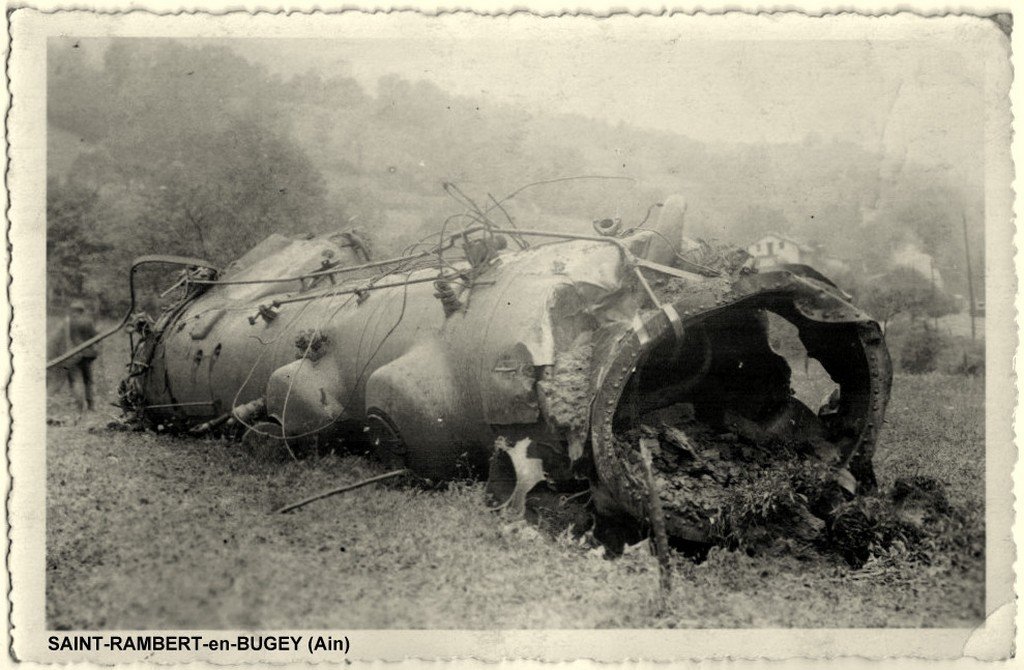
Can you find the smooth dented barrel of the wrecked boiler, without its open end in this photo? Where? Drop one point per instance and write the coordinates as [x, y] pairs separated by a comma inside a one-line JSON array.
[[450, 384]]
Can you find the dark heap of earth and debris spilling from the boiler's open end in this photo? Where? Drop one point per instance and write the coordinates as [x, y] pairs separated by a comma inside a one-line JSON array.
[[779, 497]]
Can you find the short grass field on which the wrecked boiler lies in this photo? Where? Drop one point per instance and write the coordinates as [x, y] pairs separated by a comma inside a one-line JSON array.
[[146, 531]]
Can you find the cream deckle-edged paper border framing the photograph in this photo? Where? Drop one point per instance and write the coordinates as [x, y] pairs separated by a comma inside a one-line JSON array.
[[28, 34]]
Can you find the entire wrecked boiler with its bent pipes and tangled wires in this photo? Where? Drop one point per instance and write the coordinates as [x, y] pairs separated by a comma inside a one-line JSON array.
[[562, 361]]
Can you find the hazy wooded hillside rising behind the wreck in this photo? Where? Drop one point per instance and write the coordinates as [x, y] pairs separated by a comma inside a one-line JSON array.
[[176, 148]]
